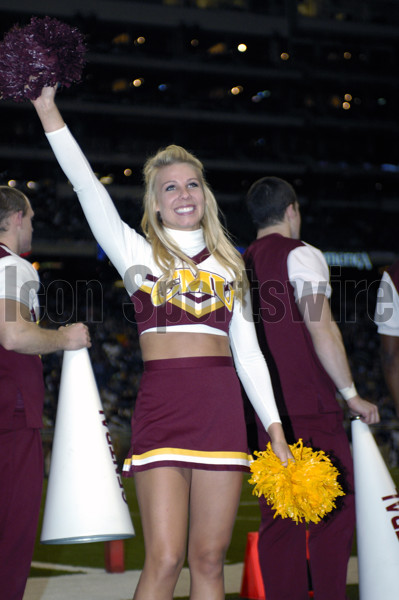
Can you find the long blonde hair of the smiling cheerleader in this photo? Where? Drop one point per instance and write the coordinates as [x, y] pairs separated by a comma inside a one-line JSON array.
[[217, 240]]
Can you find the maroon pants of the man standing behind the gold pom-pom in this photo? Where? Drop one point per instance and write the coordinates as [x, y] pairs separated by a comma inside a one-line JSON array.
[[282, 543]]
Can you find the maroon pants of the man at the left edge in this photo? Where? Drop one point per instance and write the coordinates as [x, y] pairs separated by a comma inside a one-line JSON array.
[[21, 477]]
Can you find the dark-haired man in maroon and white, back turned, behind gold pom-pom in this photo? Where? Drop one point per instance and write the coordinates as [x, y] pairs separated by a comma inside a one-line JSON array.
[[308, 363]]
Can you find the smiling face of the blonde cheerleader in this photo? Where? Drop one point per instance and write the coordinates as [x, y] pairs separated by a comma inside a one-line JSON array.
[[180, 197]]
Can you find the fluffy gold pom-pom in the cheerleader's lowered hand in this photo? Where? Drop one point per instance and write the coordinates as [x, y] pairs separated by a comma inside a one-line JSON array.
[[304, 490]]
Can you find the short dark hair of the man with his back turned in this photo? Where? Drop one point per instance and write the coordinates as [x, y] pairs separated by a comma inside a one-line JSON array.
[[267, 200]]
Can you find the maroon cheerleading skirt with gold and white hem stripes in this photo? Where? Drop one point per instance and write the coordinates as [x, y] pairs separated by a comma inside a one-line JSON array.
[[189, 413]]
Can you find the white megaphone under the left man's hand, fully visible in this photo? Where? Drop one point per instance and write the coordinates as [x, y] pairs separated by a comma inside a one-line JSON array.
[[85, 499]]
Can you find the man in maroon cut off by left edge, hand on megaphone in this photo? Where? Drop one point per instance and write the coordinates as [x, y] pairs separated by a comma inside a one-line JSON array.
[[22, 391]]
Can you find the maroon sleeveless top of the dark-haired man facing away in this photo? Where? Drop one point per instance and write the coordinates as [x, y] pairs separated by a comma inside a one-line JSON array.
[[301, 385]]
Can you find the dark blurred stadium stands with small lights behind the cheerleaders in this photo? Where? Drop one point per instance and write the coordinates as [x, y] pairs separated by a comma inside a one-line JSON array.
[[307, 91]]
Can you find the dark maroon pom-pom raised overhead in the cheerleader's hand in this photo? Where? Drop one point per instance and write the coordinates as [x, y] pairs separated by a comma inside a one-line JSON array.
[[43, 53]]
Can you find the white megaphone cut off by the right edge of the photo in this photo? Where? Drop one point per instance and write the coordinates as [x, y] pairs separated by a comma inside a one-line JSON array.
[[377, 519]]
